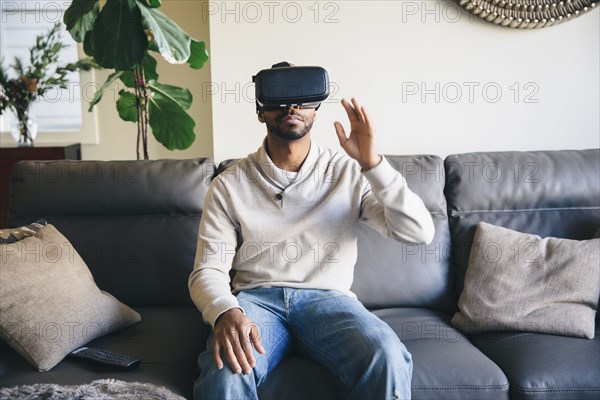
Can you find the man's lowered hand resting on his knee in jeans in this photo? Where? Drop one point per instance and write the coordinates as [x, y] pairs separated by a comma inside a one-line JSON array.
[[235, 334]]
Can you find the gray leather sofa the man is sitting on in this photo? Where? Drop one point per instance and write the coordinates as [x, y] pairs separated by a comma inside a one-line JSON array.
[[135, 224]]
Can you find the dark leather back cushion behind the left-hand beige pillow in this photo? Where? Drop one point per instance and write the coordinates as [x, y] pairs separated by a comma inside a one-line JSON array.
[[134, 223]]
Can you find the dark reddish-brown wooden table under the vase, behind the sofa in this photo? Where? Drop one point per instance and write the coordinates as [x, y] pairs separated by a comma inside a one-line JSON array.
[[9, 156]]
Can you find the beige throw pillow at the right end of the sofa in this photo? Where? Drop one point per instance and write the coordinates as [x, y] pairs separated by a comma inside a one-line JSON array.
[[521, 282]]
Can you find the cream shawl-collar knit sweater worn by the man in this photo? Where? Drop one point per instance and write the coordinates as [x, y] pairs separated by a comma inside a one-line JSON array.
[[276, 230]]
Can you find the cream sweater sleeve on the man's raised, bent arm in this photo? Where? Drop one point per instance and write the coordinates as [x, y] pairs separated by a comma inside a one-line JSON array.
[[392, 209]]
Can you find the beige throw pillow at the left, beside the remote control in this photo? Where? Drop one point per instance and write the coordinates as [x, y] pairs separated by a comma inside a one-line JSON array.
[[49, 302]]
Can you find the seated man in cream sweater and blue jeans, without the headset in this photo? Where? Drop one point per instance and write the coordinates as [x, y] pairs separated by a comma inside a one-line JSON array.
[[284, 218]]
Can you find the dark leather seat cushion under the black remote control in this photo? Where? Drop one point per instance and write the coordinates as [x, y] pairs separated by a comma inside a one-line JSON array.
[[168, 340]]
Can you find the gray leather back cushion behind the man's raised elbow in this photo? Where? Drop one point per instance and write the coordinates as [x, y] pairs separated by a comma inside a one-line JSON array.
[[393, 274]]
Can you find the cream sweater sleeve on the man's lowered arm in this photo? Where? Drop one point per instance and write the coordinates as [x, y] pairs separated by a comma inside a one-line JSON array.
[[209, 282]]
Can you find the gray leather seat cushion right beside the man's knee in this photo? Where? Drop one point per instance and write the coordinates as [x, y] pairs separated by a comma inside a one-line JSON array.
[[445, 363]]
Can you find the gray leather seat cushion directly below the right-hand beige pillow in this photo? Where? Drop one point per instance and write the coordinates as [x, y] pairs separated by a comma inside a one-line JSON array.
[[548, 367]]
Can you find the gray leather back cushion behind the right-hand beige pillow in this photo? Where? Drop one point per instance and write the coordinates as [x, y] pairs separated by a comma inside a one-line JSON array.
[[546, 193]]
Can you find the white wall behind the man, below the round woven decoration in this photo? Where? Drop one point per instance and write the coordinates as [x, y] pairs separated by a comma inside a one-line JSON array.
[[434, 78]]
